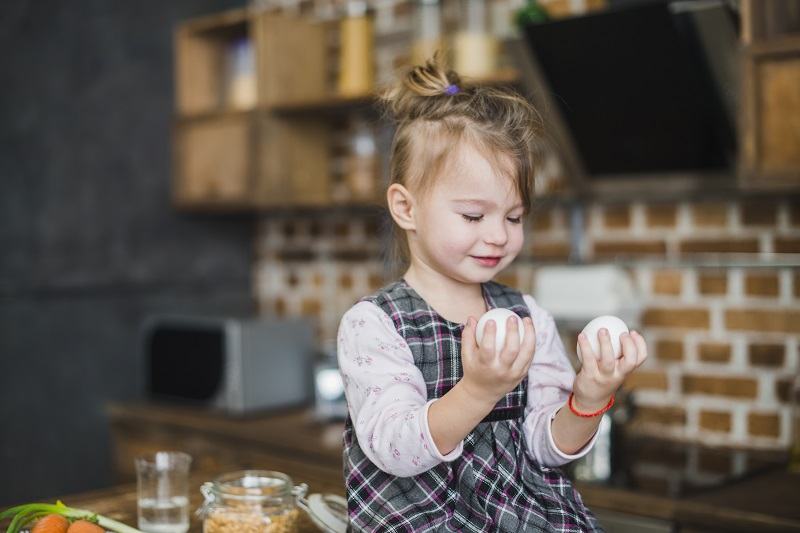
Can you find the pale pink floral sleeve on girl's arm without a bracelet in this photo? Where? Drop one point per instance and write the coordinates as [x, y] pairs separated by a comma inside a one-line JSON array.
[[386, 394]]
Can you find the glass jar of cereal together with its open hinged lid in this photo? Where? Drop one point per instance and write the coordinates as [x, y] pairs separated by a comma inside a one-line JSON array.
[[264, 501]]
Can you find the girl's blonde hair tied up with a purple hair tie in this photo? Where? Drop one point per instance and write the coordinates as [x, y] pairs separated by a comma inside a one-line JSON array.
[[435, 112]]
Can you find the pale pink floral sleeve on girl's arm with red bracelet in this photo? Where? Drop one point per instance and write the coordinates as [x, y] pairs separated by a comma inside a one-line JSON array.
[[550, 381]]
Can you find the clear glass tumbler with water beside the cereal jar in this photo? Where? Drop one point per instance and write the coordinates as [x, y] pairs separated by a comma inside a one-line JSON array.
[[163, 492]]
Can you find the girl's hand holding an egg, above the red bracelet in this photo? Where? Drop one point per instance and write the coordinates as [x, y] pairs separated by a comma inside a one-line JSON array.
[[600, 376]]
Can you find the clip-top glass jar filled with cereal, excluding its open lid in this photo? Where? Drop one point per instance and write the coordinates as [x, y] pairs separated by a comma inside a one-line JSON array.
[[251, 501]]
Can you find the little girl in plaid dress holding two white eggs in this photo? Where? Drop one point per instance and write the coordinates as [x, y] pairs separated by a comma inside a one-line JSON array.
[[445, 433]]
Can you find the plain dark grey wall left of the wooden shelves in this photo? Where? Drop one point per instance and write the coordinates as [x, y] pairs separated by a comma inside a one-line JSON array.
[[89, 243]]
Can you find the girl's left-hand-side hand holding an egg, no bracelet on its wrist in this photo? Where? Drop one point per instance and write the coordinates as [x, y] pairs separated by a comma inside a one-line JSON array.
[[489, 375]]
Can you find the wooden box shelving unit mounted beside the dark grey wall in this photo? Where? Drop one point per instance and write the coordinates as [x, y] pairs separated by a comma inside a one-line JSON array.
[[279, 151]]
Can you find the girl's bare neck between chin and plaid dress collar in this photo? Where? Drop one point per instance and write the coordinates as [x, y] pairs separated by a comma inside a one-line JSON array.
[[453, 300]]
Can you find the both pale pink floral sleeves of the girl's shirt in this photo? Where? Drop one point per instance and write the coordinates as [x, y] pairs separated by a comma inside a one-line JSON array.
[[388, 403]]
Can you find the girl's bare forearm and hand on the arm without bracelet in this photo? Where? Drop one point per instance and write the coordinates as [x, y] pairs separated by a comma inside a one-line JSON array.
[[487, 378]]
